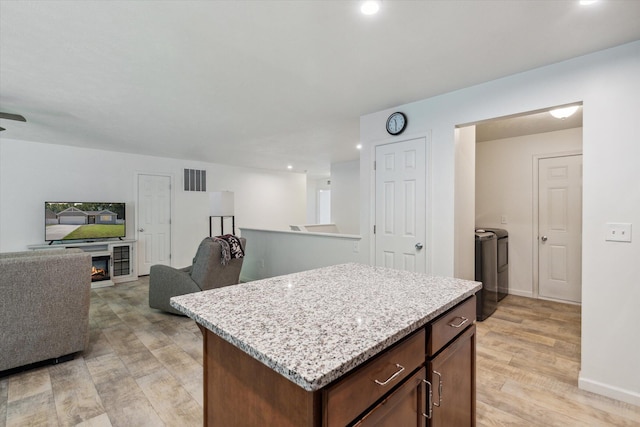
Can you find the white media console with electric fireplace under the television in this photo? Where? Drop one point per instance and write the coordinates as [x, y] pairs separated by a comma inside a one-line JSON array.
[[112, 261]]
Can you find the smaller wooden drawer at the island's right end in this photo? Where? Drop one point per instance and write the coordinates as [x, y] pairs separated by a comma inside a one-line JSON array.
[[450, 325]]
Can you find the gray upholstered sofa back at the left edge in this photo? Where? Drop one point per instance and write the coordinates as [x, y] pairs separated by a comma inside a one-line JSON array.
[[44, 305]]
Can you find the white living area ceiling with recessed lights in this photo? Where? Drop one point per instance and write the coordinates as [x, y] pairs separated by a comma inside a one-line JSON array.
[[266, 83]]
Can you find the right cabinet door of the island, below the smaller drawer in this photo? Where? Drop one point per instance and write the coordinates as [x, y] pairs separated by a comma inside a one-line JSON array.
[[452, 377]]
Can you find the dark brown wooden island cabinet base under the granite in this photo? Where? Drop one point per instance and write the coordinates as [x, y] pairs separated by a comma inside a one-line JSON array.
[[426, 379]]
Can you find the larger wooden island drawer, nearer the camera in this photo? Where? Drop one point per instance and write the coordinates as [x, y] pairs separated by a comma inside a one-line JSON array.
[[349, 397]]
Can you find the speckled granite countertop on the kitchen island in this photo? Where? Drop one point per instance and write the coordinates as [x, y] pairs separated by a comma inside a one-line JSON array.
[[313, 327]]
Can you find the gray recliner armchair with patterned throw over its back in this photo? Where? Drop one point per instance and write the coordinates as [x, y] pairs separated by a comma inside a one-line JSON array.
[[207, 272]]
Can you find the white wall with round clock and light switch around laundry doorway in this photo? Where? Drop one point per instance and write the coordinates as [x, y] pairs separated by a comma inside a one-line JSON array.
[[608, 85]]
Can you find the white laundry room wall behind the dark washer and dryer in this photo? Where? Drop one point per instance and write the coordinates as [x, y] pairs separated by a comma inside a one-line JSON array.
[[504, 186]]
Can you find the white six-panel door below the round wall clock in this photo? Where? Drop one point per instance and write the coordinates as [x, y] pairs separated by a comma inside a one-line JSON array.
[[401, 205]]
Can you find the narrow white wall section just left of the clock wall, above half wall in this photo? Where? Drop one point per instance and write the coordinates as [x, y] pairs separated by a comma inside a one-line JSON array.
[[345, 196]]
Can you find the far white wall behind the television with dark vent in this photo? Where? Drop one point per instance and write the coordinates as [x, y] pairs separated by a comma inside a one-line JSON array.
[[31, 173]]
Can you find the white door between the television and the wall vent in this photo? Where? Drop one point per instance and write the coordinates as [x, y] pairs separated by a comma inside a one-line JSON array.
[[154, 221]]
